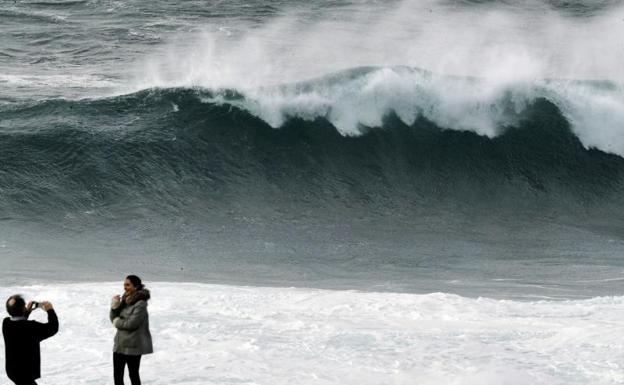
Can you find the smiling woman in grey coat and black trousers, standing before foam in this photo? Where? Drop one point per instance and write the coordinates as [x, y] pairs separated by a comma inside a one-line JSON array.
[[133, 339]]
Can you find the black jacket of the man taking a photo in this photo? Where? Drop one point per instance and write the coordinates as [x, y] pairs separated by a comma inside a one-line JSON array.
[[21, 342]]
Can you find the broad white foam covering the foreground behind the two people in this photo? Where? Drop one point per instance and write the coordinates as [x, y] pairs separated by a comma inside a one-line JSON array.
[[209, 334]]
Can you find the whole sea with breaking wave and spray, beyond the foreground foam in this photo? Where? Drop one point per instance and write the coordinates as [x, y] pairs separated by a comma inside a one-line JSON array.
[[387, 146]]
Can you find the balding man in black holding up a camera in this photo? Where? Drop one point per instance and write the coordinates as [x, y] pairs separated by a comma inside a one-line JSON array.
[[22, 337]]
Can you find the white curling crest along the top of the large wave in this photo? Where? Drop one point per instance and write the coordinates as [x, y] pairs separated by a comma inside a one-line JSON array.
[[363, 96]]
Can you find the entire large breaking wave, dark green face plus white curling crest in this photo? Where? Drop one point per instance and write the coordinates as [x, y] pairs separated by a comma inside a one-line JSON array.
[[376, 137]]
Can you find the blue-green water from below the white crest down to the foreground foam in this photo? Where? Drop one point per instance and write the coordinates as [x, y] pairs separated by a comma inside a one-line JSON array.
[[211, 188]]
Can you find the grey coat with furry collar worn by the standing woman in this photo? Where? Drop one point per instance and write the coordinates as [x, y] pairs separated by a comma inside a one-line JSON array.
[[132, 322]]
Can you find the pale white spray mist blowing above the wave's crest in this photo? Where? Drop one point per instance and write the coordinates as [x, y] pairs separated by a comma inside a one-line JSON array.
[[508, 43]]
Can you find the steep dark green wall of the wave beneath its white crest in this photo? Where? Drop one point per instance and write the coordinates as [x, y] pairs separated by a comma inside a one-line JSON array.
[[158, 146]]
